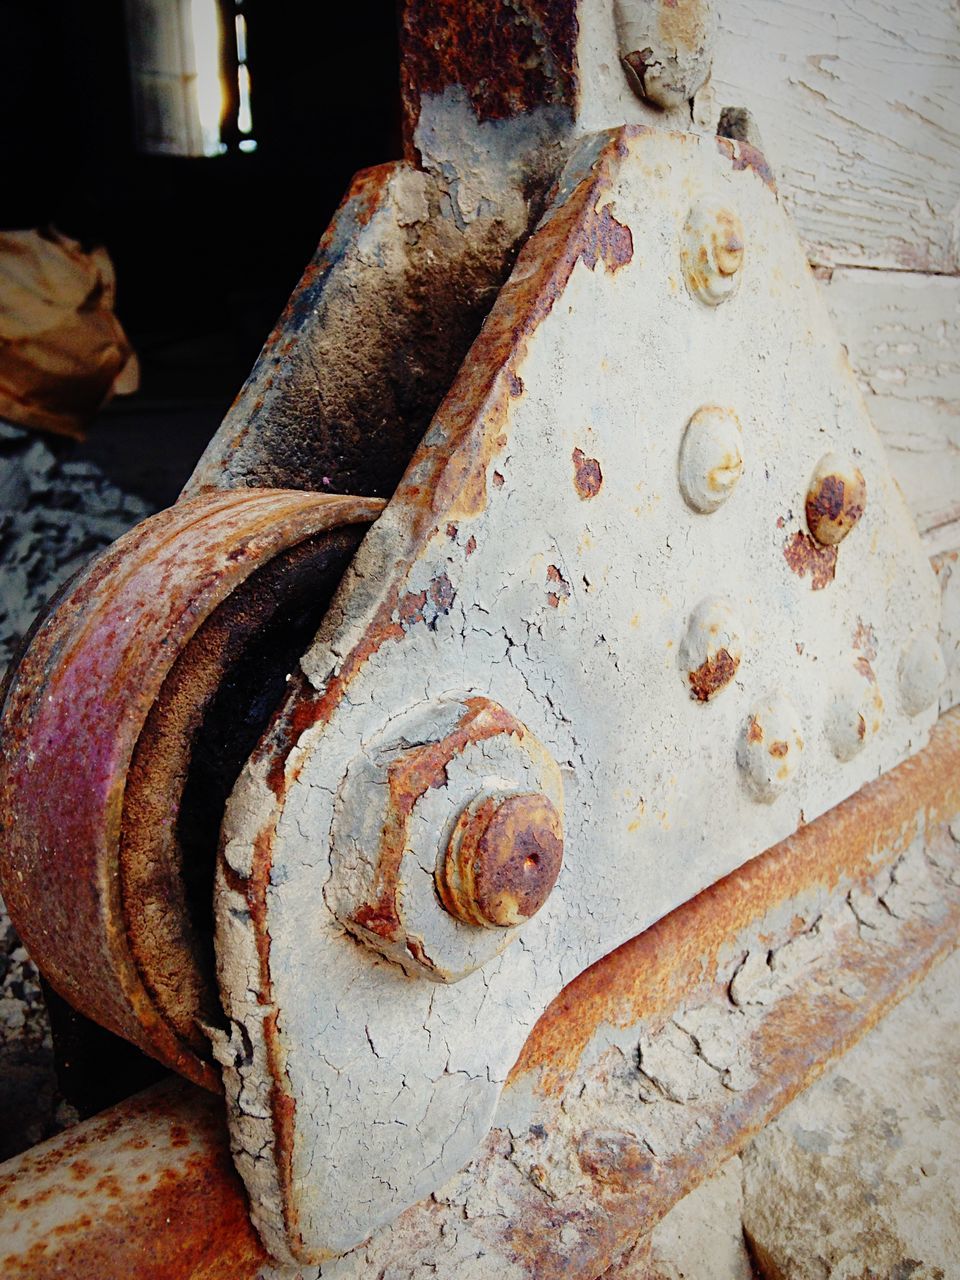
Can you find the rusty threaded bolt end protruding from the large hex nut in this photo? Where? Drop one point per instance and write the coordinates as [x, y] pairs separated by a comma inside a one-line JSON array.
[[502, 860]]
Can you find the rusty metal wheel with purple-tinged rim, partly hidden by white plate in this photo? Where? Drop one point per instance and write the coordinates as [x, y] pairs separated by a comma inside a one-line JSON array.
[[125, 725]]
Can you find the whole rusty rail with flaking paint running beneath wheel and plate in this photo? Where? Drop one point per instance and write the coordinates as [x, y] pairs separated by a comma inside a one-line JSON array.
[[566, 1180]]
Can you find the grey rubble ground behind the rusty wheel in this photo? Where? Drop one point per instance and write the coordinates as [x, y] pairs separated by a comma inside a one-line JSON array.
[[54, 516]]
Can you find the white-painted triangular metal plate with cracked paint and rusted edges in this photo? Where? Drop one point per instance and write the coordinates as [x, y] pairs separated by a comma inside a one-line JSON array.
[[541, 554]]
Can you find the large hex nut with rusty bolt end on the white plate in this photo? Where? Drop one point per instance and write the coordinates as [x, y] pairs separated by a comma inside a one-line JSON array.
[[449, 836]]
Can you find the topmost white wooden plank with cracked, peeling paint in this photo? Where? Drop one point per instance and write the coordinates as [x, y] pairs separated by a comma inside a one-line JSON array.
[[858, 103]]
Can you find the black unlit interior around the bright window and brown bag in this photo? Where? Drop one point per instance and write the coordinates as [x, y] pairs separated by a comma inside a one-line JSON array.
[[207, 250]]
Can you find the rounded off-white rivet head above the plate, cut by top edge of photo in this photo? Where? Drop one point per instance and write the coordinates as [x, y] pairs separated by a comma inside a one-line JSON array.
[[666, 47]]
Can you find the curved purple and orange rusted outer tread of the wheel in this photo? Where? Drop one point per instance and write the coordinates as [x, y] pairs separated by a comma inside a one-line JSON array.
[[74, 715]]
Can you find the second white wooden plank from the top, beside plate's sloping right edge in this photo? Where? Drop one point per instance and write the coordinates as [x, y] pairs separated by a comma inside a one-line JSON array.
[[902, 331]]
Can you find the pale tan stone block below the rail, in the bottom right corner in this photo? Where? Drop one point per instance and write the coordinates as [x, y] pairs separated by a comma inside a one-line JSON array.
[[861, 1176]]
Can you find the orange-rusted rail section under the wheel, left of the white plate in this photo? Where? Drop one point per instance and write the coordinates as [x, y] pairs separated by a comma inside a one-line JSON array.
[[144, 1192]]
